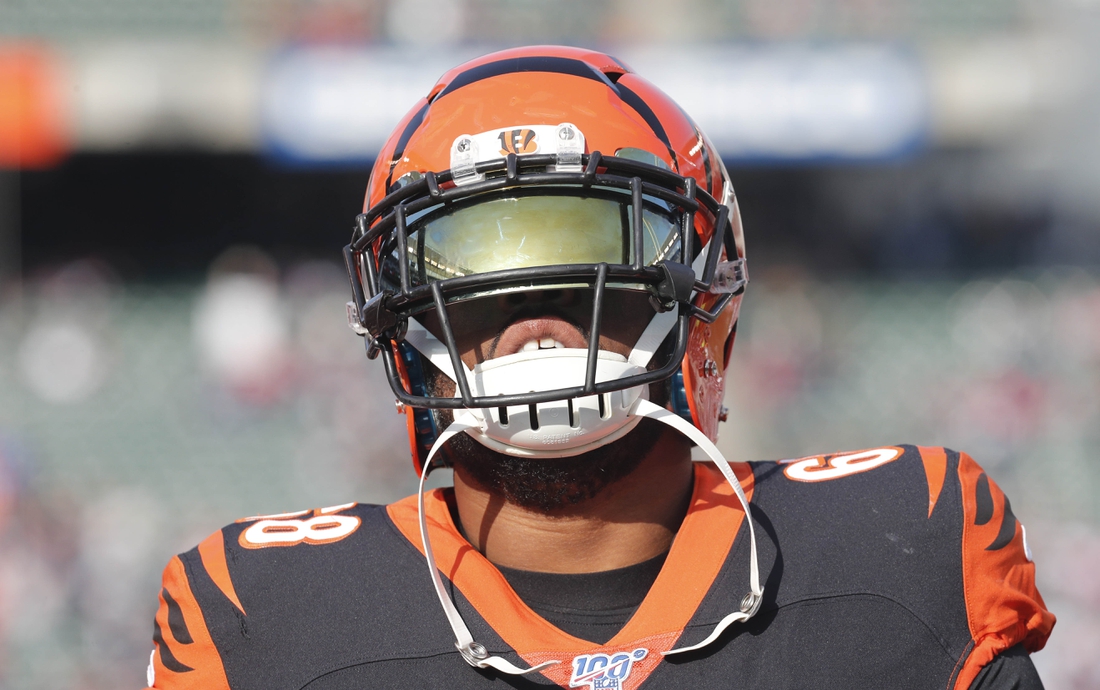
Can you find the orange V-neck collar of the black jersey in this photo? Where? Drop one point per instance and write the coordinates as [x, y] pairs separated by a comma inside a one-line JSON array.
[[699, 552]]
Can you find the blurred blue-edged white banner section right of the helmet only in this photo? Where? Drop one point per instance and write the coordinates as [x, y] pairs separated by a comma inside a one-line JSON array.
[[798, 103]]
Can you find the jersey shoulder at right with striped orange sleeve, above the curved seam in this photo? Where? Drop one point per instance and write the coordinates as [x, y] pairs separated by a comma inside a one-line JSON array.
[[926, 527]]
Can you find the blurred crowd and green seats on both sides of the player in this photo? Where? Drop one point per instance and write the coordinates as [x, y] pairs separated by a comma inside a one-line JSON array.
[[137, 419]]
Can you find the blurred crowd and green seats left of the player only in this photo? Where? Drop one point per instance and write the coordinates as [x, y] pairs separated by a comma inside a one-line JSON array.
[[136, 421]]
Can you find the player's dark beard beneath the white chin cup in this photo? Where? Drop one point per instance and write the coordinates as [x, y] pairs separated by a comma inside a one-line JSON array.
[[553, 485]]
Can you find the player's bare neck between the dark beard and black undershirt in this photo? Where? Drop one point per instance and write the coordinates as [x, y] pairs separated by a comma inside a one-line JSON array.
[[630, 522]]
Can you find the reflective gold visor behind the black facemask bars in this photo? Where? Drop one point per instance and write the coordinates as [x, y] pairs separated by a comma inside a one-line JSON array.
[[527, 232]]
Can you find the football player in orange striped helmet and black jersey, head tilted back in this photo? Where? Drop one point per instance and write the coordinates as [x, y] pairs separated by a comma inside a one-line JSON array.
[[549, 267]]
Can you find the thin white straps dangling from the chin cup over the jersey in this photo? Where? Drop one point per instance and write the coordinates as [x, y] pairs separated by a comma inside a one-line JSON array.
[[476, 654]]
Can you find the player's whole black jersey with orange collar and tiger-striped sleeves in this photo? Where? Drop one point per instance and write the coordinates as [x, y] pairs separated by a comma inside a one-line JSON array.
[[900, 567]]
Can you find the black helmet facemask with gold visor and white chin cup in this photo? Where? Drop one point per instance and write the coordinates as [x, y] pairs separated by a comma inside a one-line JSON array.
[[621, 234]]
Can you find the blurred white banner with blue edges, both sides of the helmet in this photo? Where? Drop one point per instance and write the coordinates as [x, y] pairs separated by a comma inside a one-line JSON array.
[[793, 104]]
